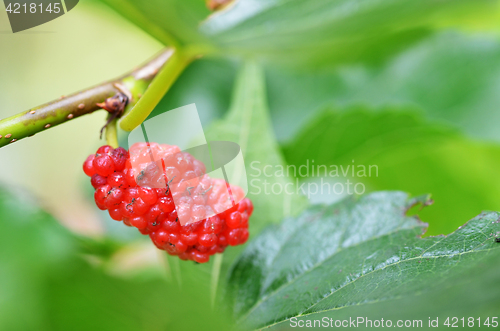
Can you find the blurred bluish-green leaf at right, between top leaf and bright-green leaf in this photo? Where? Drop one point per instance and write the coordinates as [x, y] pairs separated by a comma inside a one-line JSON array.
[[450, 77]]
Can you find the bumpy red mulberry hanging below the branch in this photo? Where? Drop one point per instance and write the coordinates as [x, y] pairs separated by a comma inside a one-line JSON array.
[[211, 219]]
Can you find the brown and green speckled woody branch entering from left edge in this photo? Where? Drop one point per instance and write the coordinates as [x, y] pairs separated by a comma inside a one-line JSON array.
[[64, 109]]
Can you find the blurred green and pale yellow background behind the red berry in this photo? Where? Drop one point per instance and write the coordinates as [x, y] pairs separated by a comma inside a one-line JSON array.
[[418, 96]]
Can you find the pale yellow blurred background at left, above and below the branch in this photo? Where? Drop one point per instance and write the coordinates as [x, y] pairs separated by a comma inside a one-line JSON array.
[[61, 57]]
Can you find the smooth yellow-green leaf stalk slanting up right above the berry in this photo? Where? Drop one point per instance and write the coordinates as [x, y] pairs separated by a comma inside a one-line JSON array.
[[156, 90]]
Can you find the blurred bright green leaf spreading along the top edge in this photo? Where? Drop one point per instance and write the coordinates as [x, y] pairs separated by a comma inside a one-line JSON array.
[[315, 31]]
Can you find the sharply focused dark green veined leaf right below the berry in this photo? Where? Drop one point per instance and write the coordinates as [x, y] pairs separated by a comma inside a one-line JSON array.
[[352, 253]]
